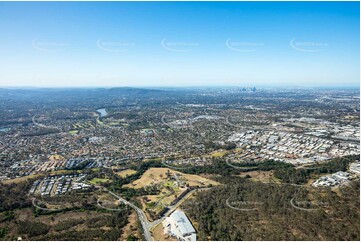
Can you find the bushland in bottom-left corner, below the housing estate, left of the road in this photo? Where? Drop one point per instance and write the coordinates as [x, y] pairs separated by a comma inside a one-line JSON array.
[[14, 200]]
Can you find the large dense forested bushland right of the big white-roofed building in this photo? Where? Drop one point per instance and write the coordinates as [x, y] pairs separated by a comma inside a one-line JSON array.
[[335, 217]]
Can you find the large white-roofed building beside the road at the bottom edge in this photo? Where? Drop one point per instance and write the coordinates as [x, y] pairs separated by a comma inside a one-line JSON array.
[[179, 226]]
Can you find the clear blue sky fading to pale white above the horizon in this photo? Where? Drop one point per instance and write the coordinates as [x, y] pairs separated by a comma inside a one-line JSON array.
[[179, 44]]
